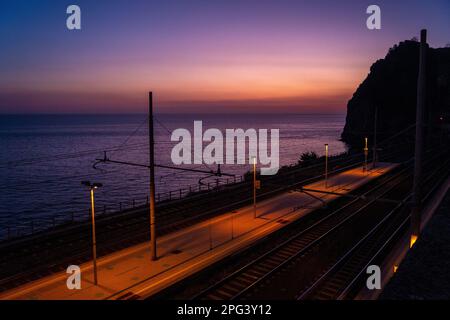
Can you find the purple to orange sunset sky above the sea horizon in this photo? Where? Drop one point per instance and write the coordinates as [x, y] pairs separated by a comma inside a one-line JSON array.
[[199, 56]]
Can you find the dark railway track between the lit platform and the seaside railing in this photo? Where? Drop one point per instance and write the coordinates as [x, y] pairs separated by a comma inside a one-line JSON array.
[[32, 258]]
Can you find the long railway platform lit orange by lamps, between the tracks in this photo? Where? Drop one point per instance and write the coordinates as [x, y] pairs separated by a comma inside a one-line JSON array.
[[131, 274]]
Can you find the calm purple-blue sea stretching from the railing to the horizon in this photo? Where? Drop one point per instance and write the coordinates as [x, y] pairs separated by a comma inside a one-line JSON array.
[[44, 158]]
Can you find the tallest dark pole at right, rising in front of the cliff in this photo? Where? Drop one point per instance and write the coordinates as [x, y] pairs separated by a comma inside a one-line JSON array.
[[421, 101]]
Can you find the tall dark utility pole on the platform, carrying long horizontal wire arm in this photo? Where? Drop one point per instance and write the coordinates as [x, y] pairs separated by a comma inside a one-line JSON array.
[[151, 148]]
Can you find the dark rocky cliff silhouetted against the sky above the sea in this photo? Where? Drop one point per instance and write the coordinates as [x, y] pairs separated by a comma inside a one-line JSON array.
[[391, 87]]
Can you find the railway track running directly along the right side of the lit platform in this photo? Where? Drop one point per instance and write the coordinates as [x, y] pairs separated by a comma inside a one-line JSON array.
[[252, 280]]
